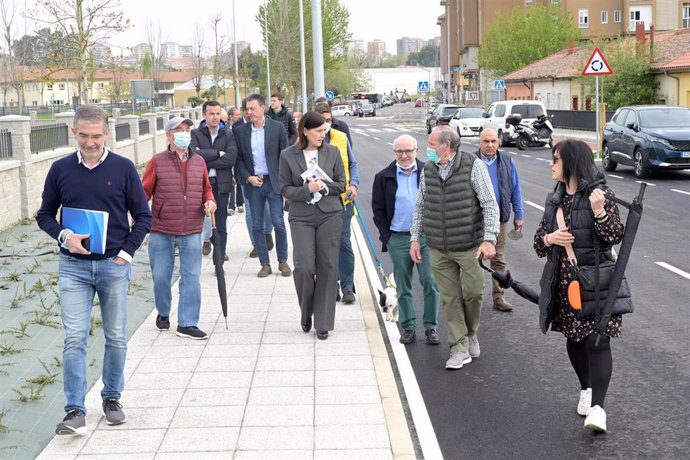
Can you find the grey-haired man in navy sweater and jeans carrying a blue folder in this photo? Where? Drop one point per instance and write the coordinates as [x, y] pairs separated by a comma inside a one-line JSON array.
[[94, 178]]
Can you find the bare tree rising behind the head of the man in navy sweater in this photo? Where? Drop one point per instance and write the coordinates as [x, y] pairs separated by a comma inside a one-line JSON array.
[[84, 23]]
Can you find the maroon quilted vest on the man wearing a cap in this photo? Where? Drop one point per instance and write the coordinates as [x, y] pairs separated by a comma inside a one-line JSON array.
[[178, 208]]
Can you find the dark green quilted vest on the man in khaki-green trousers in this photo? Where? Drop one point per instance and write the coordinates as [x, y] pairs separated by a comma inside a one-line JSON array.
[[453, 219]]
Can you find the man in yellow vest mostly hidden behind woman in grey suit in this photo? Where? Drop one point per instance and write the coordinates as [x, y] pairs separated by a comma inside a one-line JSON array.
[[346, 260]]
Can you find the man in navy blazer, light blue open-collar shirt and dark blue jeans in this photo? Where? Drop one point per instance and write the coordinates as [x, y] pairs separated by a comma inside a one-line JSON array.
[[259, 143]]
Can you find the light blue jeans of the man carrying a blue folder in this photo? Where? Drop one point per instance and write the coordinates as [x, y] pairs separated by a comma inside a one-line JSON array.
[[79, 281]]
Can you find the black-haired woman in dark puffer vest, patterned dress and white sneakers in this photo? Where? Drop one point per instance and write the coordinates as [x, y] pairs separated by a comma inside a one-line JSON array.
[[589, 216]]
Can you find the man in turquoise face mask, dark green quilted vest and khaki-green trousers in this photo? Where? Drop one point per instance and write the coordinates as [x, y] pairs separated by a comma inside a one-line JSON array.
[[457, 212]]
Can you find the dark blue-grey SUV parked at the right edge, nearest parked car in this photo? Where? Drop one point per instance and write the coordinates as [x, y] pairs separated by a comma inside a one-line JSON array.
[[647, 137]]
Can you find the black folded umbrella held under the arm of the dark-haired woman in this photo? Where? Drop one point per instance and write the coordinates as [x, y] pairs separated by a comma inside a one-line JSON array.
[[631, 225]]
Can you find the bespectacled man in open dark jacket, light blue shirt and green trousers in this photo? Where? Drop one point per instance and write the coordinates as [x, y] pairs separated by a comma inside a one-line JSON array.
[[393, 199]]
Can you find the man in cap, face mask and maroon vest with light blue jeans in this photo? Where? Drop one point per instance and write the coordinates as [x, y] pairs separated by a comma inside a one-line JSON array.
[[177, 181]]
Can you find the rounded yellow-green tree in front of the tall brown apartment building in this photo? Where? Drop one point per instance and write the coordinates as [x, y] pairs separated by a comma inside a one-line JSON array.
[[525, 35]]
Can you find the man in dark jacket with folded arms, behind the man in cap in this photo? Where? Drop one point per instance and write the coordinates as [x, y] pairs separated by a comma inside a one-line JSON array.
[[215, 143]]
